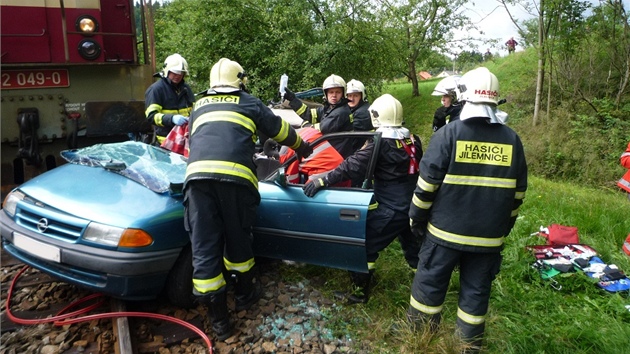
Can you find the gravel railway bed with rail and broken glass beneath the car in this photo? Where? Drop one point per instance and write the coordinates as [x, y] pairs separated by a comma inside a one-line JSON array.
[[292, 316]]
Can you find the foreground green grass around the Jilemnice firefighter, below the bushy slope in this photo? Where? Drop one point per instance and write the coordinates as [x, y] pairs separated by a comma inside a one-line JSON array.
[[526, 314]]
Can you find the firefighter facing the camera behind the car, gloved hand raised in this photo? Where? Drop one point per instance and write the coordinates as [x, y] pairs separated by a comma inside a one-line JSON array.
[[334, 116]]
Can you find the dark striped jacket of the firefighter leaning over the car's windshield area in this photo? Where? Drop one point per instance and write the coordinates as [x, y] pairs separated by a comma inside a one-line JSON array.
[[223, 134]]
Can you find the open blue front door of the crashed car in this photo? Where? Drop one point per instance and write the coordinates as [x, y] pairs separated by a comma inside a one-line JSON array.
[[327, 229]]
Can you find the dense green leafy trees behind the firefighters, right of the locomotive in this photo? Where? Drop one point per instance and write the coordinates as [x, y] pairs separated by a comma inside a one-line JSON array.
[[306, 39]]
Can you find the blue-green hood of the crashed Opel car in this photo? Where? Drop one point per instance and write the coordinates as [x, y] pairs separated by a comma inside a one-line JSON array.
[[106, 195]]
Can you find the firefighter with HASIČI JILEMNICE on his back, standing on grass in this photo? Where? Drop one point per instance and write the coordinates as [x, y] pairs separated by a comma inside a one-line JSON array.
[[473, 178]]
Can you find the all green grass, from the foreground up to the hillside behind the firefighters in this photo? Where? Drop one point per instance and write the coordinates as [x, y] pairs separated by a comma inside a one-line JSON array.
[[526, 315]]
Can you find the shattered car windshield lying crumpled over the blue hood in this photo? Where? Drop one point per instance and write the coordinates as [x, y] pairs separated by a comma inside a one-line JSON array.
[[151, 166]]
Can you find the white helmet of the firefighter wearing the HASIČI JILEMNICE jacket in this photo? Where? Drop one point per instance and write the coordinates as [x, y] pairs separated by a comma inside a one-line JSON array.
[[479, 86]]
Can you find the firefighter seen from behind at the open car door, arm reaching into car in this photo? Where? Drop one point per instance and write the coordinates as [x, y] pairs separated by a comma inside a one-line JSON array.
[[395, 175]]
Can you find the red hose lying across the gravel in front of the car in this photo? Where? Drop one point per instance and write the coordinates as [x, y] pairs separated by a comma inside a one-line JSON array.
[[63, 319]]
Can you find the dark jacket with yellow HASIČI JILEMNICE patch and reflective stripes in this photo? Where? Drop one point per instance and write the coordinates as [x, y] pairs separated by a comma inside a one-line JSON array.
[[473, 179]]
